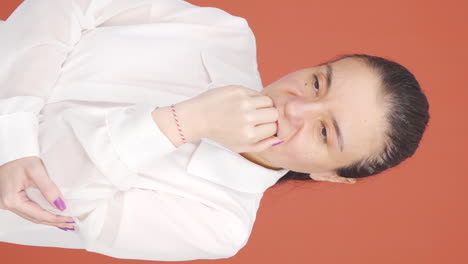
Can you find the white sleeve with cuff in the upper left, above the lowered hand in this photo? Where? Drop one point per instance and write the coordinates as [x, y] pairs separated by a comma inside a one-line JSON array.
[[36, 40]]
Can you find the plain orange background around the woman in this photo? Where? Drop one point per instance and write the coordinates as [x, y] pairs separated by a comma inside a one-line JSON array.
[[415, 213]]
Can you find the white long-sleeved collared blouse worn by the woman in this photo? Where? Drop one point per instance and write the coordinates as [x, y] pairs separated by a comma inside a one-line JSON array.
[[78, 82]]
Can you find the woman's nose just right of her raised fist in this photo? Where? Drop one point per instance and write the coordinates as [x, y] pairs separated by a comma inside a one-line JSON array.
[[299, 110]]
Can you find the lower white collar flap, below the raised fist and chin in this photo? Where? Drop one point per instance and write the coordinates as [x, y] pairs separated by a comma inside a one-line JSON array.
[[223, 166]]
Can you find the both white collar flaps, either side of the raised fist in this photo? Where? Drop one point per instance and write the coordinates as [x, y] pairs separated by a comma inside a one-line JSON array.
[[213, 161]]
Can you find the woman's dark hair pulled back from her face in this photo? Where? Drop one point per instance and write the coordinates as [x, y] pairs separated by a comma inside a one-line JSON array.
[[407, 116]]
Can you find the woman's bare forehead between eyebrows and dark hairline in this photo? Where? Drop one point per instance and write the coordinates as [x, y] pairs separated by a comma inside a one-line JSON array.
[[356, 102]]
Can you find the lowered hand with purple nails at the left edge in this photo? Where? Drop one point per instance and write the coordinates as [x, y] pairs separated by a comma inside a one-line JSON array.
[[19, 174]]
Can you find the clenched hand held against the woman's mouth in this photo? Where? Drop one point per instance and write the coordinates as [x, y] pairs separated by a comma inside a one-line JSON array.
[[239, 118]]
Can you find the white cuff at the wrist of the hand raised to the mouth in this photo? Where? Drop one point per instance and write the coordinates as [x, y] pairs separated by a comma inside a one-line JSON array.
[[120, 141]]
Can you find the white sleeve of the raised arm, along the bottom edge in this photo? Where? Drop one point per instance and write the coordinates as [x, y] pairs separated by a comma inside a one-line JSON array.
[[160, 226]]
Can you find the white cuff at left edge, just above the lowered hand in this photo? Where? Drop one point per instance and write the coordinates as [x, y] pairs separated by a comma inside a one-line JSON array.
[[18, 136]]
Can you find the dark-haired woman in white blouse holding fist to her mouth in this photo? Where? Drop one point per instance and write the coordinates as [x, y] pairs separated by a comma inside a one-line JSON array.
[[155, 129]]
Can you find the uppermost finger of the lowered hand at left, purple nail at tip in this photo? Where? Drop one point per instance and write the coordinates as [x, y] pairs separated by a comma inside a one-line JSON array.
[[47, 187]]
